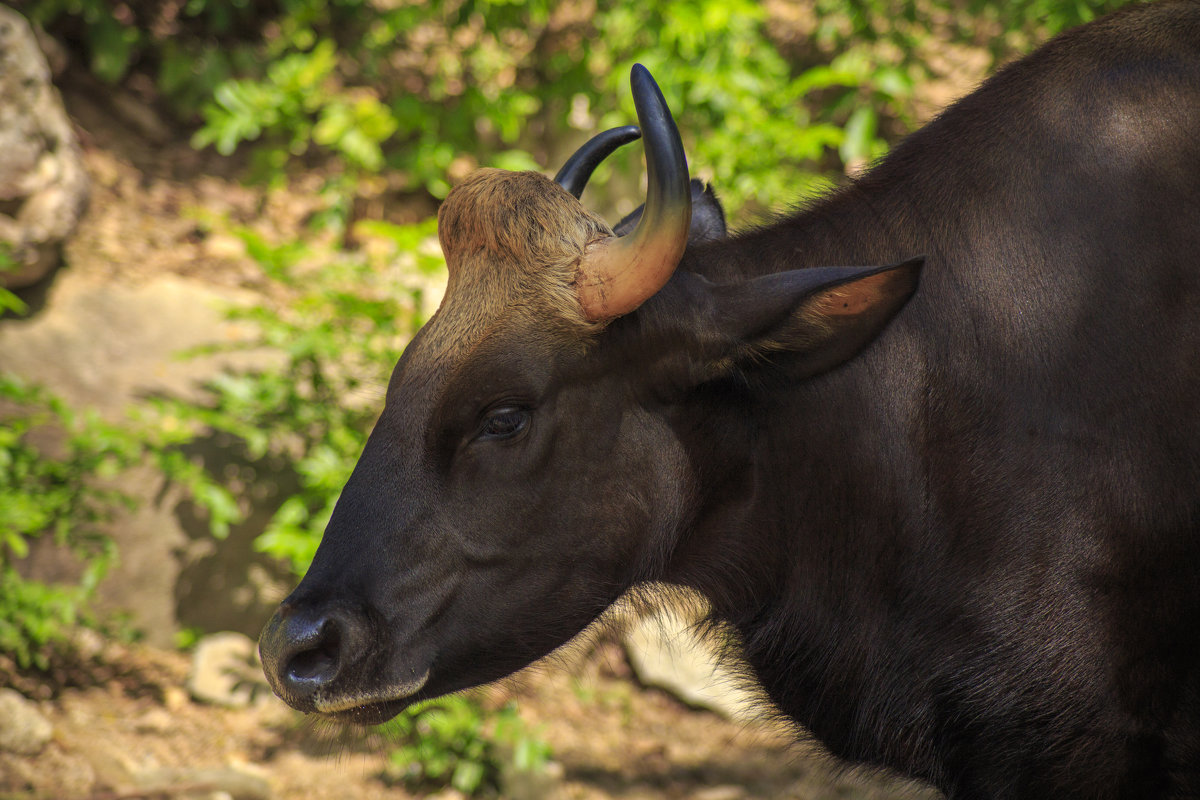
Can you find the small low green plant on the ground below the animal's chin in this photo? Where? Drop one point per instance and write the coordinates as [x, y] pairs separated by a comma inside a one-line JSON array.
[[453, 741]]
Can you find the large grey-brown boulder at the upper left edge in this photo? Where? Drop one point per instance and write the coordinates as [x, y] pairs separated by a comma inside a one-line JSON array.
[[44, 187]]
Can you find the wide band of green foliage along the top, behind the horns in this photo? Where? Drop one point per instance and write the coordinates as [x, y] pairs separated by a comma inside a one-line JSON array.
[[424, 92]]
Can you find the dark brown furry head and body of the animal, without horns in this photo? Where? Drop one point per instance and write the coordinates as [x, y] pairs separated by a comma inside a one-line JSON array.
[[956, 536]]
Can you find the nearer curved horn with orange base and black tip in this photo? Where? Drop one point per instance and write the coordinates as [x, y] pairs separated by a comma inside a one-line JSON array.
[[617, 275]]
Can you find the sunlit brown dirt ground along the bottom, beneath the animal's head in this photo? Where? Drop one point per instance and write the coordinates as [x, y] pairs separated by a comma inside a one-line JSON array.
[[135, 735]]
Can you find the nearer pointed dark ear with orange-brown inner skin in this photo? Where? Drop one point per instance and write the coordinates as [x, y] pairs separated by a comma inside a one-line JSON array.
[[812, 321]]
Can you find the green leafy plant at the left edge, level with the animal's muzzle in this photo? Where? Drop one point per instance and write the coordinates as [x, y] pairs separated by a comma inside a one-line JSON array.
[[55, 465]]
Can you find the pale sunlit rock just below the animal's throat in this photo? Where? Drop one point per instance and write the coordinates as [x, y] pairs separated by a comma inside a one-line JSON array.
[[667, 654]]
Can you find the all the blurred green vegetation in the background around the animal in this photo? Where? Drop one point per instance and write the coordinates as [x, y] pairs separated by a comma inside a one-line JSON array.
[[391, 103]]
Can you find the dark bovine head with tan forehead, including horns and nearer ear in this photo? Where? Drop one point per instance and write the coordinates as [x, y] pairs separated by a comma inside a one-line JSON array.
[[529, 467]]
